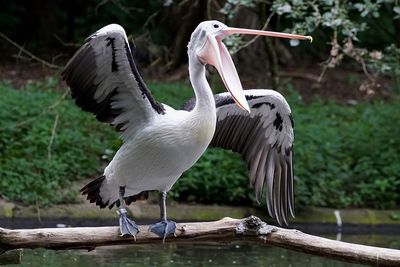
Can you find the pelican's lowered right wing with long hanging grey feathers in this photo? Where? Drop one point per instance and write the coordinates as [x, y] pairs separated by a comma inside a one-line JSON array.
[[264, 138]]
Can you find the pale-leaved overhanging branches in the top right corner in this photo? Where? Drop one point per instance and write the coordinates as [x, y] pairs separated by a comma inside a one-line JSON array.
[[362, 31]]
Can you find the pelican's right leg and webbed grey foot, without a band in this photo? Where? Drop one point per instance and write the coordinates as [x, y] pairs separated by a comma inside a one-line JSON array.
[[164, 227]]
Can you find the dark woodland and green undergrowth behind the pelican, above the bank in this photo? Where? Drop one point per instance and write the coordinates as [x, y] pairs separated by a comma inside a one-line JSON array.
[[343, 89]]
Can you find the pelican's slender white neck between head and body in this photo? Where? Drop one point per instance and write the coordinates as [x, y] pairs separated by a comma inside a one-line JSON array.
[[204, 97]]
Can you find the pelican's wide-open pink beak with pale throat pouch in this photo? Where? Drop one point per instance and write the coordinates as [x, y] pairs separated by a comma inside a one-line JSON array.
[[215, 53]]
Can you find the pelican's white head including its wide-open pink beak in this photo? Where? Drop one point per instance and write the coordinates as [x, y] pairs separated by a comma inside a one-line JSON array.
[[206, 44]]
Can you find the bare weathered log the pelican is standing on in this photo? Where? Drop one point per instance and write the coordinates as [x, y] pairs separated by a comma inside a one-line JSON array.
[[225, 230]]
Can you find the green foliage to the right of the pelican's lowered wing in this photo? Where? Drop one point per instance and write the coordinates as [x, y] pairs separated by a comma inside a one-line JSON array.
[[347, 155]]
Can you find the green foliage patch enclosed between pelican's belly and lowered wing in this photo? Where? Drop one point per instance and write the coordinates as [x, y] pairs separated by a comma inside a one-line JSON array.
[[218, 177]]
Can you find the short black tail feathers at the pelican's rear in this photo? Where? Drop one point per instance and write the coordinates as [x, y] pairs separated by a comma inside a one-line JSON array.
[[92, 190]]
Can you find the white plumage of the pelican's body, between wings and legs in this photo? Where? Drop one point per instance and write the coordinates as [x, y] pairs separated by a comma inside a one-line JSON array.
[[161, 152]]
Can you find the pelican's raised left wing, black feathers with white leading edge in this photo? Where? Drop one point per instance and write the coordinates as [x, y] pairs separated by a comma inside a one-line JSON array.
[[105, 81]]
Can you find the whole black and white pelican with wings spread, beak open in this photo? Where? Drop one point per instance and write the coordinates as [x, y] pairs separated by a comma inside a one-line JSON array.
[[160, 143]]
